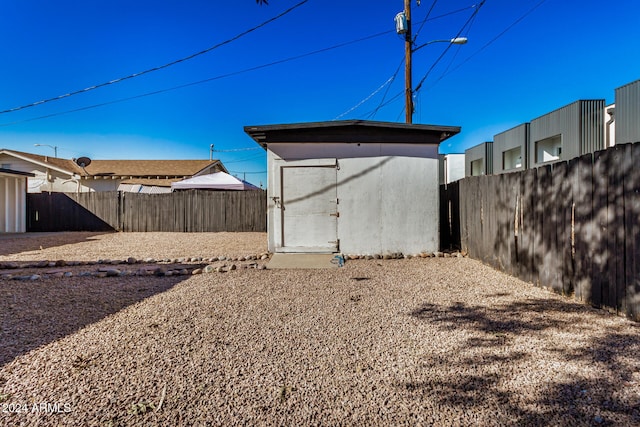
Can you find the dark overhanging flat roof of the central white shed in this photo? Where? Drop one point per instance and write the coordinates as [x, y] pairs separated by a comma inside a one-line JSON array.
[[351, 131]]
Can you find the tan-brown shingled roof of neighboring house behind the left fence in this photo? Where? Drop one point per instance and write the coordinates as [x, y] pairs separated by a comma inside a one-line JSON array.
[[155, 169]]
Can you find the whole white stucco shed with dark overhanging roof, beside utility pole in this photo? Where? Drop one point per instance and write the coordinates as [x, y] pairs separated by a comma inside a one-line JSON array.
[[356, 187]]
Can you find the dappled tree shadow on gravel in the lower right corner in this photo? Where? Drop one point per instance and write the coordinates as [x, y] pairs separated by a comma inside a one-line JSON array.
[[478, 380]]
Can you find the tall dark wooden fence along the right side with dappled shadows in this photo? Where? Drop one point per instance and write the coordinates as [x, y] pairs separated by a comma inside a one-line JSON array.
[[571, 226]]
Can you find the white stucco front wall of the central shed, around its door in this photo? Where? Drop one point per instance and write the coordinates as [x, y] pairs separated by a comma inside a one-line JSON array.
[[387, 203]]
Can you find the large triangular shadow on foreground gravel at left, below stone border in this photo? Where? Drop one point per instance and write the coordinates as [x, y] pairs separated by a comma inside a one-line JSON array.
[[35, 313]]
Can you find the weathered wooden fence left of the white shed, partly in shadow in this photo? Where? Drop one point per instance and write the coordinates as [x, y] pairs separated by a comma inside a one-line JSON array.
[[182, 211]]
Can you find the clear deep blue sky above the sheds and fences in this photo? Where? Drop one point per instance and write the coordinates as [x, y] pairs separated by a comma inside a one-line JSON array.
[[561, 51]]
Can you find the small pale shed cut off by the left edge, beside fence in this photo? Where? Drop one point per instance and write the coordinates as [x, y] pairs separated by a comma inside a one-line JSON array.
[[13, 201]]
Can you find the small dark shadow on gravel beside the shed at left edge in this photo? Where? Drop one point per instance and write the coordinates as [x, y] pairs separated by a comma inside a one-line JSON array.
[[14, 243]]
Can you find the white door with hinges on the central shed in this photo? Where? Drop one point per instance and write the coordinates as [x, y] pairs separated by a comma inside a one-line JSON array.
[[309, 209]]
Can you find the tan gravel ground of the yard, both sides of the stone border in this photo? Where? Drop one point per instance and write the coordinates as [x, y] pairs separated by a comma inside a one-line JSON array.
[[435, 341]]
